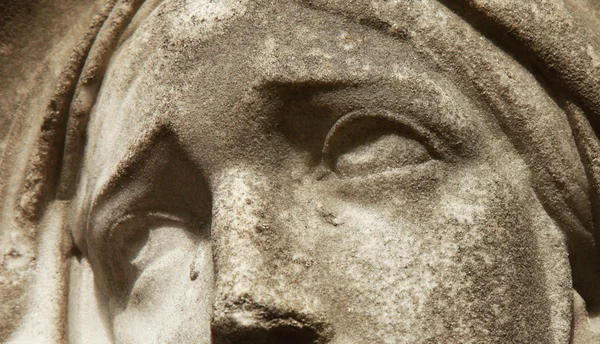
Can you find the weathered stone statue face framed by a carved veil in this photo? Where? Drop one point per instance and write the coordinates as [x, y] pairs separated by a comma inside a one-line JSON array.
[[291, 174]]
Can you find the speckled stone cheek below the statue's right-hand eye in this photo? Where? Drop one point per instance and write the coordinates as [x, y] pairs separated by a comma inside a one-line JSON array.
[[465, 260]]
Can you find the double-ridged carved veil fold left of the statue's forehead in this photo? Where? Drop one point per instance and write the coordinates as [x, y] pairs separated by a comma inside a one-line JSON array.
[[62, 134]]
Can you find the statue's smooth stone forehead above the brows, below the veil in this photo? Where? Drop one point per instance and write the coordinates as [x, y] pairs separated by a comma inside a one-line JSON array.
[[193, 62]]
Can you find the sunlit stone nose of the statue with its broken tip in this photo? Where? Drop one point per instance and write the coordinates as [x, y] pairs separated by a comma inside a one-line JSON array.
[[254, 303]]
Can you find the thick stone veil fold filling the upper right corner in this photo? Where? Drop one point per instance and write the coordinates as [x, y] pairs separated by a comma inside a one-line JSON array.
[[564, 49]]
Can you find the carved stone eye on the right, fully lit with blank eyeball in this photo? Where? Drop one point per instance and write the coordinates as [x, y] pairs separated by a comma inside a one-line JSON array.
[[364, 143]]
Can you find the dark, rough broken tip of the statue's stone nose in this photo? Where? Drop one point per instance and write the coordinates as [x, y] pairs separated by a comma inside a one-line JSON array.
[[244, 321]]
